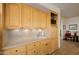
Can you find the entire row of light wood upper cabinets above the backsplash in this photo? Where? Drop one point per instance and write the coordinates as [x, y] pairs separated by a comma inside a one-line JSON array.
[[24, 16]]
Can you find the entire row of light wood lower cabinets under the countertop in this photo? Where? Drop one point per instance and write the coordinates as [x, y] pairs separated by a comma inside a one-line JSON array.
[[42, 47]]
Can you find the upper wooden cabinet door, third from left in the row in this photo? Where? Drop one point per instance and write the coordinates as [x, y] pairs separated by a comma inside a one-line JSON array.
[[35, 18]]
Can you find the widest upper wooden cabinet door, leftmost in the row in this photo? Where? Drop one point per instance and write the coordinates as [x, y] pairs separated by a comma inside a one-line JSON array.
[[12, 16]]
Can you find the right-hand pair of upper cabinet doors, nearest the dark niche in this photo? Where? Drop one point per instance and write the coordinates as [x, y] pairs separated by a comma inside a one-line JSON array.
[[39, 19]]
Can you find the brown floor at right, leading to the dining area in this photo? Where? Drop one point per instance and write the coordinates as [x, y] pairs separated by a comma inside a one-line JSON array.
[[68, 48]]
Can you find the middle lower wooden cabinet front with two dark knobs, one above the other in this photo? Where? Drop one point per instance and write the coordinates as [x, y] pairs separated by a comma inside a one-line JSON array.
[[32, 49]]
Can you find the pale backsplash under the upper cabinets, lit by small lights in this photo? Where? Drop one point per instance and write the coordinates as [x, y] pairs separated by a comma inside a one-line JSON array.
[[25, 35]]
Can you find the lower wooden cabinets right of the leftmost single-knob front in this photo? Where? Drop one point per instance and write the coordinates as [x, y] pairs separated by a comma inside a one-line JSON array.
[[38, 48]]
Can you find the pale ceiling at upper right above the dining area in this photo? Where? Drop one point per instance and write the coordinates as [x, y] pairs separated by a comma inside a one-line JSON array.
[[68, 9]]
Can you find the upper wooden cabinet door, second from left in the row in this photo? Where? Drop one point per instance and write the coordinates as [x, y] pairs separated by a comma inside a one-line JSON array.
[[26, 16]]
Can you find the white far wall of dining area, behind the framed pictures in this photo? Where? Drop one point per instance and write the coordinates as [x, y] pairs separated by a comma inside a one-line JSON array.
[[67, 22]]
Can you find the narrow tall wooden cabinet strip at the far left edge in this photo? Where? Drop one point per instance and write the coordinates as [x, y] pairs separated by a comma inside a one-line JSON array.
[[1, 24]]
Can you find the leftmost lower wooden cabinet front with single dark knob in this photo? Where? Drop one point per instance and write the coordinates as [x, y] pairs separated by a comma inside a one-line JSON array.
[[15, 51]]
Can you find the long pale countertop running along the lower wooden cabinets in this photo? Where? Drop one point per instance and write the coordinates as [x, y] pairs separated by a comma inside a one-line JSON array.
[[20, 43]]
